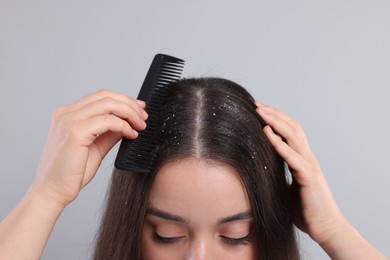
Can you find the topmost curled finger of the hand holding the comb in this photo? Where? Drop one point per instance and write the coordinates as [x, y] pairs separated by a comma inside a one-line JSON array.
[[101, 94]]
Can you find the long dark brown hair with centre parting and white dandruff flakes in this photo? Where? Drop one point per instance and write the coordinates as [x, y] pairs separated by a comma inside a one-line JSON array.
[[211, 119]]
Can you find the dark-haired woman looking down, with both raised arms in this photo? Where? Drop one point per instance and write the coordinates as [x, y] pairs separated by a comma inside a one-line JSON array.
[[219, 190]]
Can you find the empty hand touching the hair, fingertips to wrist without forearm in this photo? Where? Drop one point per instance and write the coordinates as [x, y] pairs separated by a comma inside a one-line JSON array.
[[319, 214]]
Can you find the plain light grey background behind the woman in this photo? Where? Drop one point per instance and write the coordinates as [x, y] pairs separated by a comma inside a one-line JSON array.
[[325, 63]]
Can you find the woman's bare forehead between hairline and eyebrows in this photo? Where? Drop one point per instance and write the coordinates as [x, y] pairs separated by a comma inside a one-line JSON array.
[[191, 187]]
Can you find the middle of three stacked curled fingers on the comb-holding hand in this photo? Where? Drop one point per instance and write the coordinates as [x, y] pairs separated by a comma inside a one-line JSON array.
[[112, 106]]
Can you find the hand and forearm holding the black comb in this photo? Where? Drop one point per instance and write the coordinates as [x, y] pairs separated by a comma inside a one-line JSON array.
[[80, 135]]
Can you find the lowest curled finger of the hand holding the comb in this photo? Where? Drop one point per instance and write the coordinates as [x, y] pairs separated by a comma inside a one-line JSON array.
[[100, 125]]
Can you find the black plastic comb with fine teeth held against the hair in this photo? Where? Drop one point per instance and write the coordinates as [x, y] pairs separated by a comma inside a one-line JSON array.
[[139, 155]]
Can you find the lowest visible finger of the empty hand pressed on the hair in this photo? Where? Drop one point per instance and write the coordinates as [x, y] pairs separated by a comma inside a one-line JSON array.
[[295, 161]]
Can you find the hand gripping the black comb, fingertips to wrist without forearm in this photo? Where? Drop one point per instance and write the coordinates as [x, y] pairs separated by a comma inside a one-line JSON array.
[[80, 136]]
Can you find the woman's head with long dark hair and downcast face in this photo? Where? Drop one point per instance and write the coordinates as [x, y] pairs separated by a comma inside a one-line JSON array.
[[213, 164]]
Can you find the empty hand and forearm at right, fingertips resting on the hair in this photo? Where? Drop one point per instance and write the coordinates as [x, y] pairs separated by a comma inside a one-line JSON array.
[[318, 214]]
